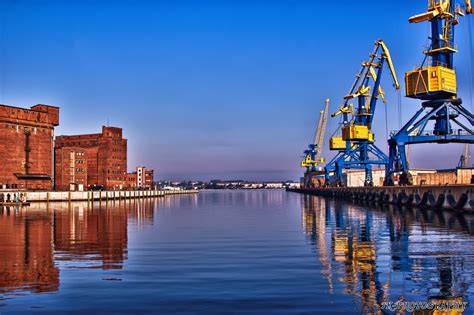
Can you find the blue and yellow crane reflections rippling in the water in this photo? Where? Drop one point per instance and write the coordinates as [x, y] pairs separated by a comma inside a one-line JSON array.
[[390, 254]]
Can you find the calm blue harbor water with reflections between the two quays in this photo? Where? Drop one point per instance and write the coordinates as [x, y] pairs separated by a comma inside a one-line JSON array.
[[231, 252]]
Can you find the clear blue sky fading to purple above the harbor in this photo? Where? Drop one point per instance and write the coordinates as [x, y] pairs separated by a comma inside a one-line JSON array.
[[211, 89]]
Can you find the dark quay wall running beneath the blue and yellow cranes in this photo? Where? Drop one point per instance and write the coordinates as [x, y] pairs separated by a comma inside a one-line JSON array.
[[452, 197]]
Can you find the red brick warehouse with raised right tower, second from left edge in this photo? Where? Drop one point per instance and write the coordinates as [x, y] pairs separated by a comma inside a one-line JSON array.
[[104, 155]]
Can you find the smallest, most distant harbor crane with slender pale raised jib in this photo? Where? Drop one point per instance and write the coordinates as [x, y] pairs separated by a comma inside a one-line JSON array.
[[312, 155]]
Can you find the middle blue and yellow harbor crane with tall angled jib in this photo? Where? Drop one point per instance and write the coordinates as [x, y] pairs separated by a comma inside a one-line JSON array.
[[356, 148]]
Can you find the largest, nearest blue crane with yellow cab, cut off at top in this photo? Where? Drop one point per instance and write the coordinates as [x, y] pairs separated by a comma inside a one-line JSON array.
[[434, 83]]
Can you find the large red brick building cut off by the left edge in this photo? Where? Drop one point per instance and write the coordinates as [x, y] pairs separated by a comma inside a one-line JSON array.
[[26, 146]]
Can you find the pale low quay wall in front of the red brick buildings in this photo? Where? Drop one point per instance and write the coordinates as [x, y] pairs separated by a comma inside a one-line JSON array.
[[59, 196]]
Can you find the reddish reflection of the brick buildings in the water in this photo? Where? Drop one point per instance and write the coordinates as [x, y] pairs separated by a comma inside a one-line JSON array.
[[35, 240]]
